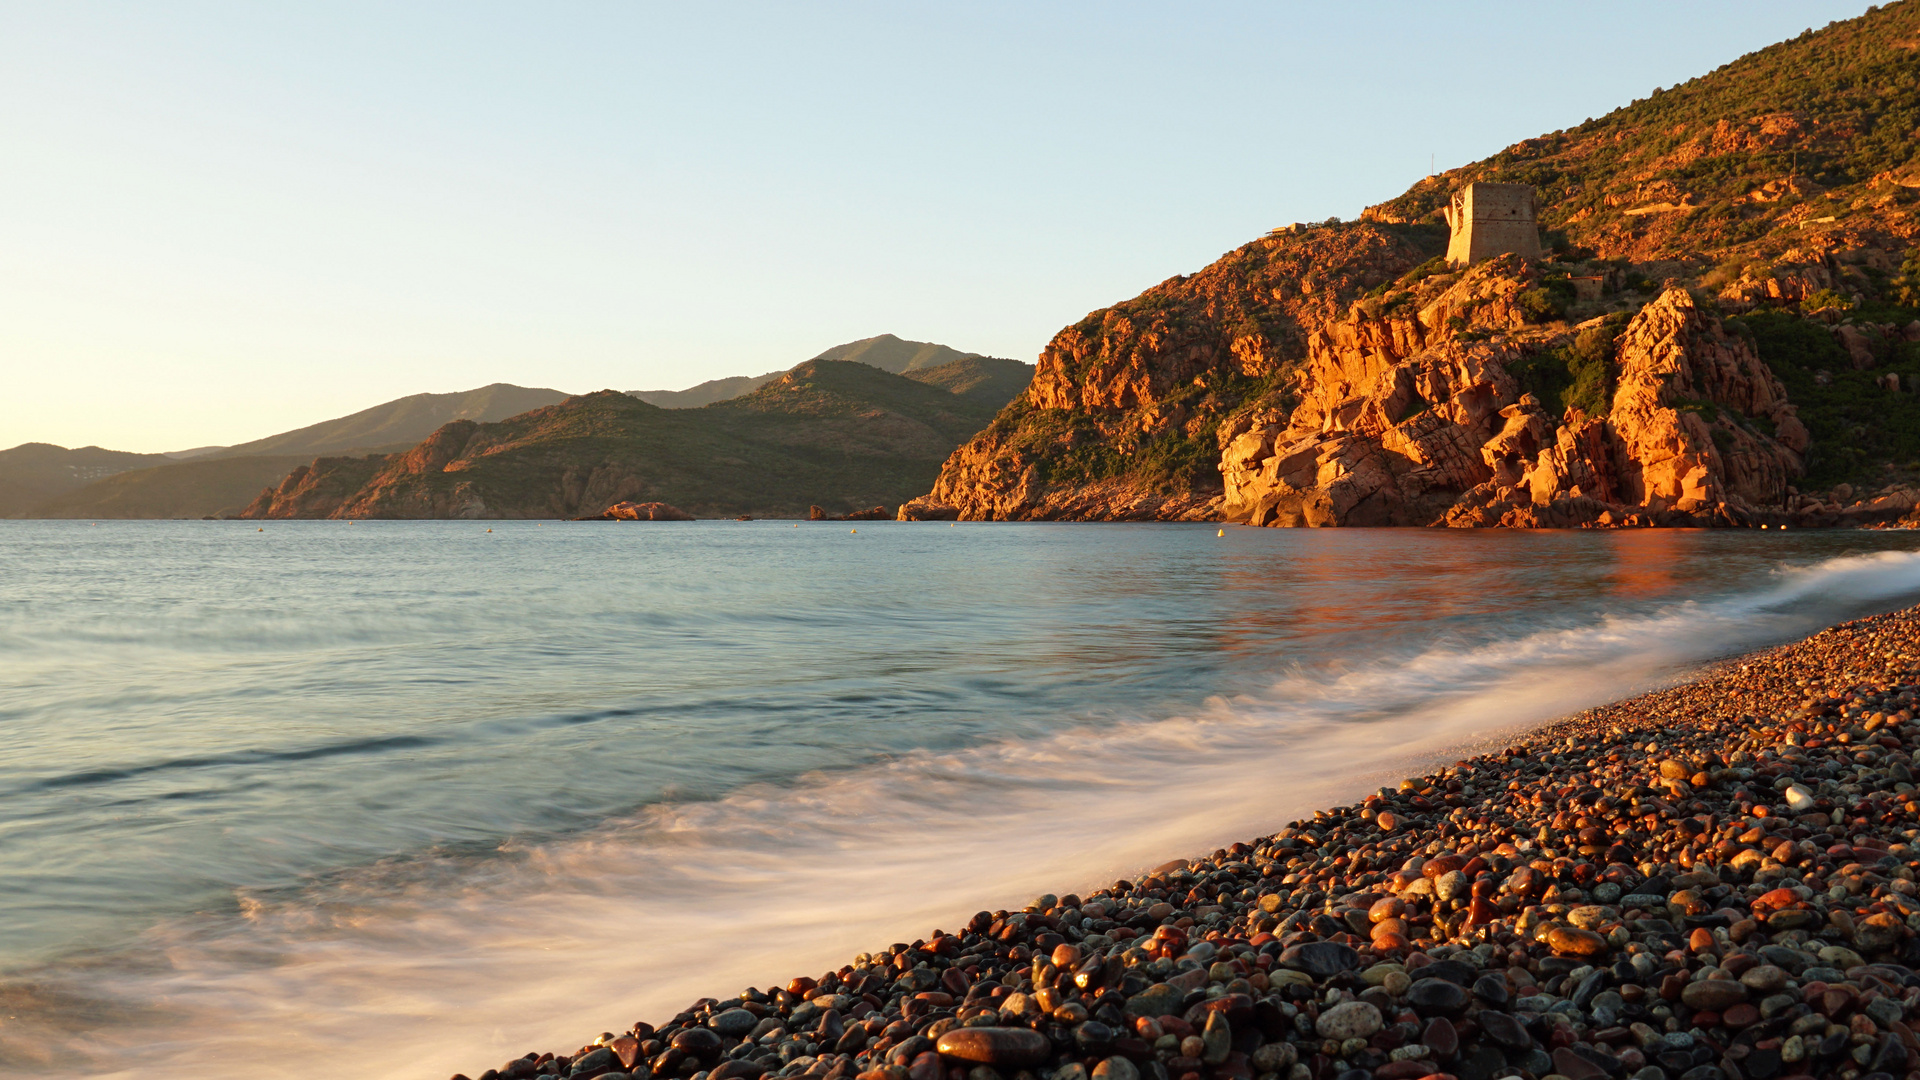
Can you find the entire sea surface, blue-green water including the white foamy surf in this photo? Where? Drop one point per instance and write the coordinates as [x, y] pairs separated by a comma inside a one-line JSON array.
[[406, 798]]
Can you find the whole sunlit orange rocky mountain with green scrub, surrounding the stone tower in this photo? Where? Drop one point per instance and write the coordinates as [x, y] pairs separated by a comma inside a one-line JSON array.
[[1729, 312]]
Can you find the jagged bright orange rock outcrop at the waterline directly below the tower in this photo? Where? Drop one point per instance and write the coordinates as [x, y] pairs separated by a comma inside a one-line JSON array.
[[1422, 420]]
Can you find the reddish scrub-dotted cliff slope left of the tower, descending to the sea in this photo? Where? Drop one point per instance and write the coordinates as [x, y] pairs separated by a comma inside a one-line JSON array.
[[1122, 418]]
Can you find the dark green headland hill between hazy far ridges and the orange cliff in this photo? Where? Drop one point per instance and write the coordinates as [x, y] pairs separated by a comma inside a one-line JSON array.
[[830, 433]]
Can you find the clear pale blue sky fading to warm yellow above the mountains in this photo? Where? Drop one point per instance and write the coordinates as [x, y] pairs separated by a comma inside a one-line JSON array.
[[226, 220]]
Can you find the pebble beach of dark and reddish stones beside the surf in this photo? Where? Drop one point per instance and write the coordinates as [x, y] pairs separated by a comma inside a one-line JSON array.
[[1704, 883]]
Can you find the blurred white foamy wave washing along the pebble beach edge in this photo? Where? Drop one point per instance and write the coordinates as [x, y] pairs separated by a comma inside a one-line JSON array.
[[458, 962]]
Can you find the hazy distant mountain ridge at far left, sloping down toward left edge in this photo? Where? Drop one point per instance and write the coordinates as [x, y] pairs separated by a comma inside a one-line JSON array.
[[224, 479]]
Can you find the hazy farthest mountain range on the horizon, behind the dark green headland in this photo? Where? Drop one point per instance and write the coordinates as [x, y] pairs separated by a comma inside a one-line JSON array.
[[220, 481]]
